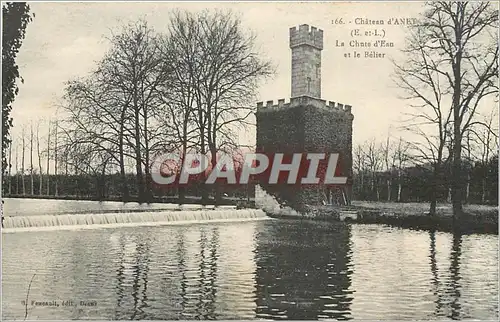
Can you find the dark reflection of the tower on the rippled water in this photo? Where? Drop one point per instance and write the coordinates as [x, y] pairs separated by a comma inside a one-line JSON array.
[[303, 272]]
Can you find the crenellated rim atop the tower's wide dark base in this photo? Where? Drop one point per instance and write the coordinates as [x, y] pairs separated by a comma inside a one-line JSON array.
[[303, 101]]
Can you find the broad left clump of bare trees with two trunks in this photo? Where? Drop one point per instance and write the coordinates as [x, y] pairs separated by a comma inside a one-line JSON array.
[[117, 109]]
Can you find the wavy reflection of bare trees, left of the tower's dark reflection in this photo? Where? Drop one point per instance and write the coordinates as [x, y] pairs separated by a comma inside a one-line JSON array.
[[188, 287]]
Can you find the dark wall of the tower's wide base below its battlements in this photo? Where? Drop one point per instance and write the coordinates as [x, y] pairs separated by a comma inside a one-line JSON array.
[[305, 129]]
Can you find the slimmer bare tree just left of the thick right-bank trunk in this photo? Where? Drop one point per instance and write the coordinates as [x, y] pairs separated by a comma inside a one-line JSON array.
[[429, 120]]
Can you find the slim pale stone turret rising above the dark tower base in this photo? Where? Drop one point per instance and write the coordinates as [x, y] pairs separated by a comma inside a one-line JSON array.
[[306, 45]]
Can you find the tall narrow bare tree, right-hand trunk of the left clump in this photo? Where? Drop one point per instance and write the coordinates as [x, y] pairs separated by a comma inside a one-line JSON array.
[[136, 66]]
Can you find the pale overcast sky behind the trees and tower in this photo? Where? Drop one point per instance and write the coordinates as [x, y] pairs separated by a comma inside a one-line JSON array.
[[66, 39]]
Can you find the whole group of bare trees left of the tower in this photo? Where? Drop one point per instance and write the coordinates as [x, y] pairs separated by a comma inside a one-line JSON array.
[[190, 88]]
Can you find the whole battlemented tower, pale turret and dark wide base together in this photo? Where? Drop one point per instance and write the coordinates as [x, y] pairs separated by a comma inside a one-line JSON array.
[[307, 123]]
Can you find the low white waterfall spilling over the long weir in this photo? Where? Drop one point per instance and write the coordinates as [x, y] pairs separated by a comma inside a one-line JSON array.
[[126, 219]]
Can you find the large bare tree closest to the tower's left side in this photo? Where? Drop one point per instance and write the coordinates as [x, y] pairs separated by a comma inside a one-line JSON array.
[[225, 70]]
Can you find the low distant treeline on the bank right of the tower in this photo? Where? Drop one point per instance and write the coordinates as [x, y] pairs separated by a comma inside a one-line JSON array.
[[391, 172]]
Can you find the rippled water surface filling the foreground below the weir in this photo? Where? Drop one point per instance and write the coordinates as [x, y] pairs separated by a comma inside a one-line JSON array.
[[270, 270]]
